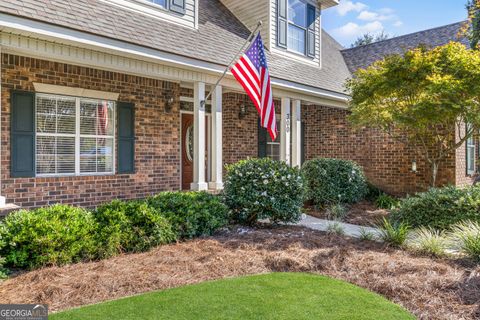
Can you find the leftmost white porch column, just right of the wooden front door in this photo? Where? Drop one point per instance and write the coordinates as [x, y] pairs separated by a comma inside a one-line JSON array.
[[199, 137]]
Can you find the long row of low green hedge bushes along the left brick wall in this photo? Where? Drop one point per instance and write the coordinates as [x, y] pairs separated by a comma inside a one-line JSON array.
[[63, 234]]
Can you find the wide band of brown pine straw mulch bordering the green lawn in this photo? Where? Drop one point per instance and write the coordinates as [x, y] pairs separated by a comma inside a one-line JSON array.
[[430, 288]]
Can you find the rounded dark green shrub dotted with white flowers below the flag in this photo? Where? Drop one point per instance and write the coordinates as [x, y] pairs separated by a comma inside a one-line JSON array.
[[262, 188]]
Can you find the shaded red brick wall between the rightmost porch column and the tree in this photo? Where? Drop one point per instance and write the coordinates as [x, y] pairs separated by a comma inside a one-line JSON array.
[[387, 163]]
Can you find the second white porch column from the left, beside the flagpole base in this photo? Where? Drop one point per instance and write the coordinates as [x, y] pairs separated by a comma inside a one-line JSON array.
[[216, 140]]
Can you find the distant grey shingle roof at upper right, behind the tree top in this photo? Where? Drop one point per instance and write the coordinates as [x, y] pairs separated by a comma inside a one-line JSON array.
[[363, 56]]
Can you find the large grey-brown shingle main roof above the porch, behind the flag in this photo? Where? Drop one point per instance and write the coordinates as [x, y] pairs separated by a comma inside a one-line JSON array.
[[219, 36]]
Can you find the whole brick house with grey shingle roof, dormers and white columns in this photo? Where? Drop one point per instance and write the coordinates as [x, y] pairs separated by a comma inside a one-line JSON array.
[[102, 99]]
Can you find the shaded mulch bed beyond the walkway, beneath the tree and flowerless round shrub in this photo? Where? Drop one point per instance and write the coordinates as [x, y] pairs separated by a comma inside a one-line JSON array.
[[364, 213]]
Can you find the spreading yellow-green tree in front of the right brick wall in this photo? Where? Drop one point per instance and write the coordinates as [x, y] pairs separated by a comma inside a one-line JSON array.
[[421, 98]]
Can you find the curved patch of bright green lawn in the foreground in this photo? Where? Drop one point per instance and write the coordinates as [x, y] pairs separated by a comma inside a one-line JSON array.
[[270, 296]]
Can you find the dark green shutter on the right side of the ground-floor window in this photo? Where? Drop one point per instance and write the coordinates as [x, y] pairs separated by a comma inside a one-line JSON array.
[[126, 137]]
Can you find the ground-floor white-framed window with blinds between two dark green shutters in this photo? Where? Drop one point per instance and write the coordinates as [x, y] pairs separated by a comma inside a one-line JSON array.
[[74, 136]]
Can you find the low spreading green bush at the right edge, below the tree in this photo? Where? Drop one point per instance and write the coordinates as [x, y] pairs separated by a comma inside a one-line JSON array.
[[440, 208]]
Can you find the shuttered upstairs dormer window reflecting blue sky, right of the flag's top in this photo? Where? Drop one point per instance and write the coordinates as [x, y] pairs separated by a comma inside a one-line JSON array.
[[296, 30]]
